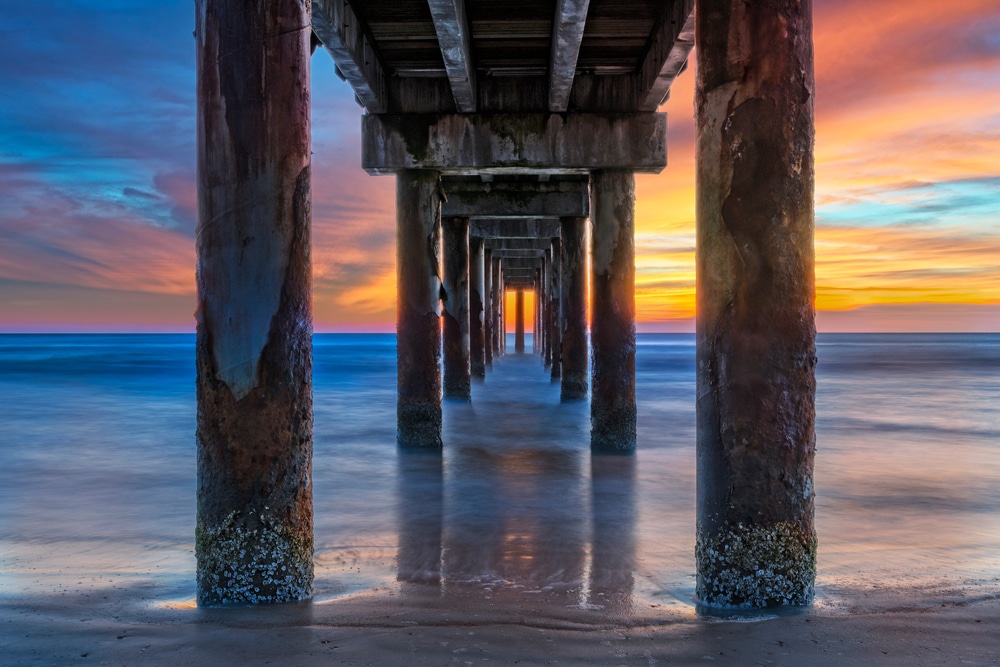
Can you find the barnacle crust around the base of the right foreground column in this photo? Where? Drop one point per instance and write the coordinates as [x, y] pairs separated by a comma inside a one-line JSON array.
[[756, 567]]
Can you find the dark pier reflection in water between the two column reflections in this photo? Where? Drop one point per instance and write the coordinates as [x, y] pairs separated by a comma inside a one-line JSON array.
[[516, 523]]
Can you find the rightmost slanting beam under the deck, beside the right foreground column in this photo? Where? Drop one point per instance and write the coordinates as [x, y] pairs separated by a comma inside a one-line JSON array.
[[667, 55]]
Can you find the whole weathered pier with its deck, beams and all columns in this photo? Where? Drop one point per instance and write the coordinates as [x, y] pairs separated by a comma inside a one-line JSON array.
[[513, 131]]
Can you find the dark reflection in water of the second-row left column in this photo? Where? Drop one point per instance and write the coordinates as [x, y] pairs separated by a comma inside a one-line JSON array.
[[419, 517]]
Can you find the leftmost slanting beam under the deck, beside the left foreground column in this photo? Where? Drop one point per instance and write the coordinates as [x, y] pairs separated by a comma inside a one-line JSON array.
[[343, 35]]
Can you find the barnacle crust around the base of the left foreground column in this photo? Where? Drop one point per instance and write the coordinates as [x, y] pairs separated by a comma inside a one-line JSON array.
[[253, 559]]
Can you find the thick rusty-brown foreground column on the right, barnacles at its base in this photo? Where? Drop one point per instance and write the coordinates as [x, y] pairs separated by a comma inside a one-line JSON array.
[[755, 330]]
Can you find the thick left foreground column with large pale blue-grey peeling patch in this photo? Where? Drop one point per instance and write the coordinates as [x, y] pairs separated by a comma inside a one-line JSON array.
[[254, 530]]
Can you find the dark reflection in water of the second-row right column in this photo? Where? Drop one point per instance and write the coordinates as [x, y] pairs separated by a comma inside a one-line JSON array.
[[613, 515]]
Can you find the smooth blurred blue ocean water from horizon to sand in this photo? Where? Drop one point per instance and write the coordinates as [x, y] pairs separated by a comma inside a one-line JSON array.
[[97, 453]]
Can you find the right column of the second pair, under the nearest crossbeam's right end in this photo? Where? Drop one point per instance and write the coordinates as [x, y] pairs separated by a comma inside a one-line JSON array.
[[612, 329]]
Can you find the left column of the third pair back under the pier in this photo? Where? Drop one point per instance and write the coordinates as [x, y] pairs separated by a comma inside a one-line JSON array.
[[457, 370]]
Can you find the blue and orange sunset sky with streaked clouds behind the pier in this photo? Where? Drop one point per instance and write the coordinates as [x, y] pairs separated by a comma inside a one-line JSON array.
[[98, 198]]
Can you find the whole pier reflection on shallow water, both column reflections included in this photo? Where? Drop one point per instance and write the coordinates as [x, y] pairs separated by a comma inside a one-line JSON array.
[[511, 528]]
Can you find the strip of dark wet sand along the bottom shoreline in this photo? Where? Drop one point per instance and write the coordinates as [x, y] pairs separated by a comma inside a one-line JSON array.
[[110, 627]]
